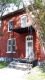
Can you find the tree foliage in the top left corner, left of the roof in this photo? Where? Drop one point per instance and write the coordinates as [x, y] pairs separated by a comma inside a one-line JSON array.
[[3, 7]]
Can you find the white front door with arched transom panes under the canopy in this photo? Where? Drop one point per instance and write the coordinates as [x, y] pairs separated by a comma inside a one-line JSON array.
[[29, 46]]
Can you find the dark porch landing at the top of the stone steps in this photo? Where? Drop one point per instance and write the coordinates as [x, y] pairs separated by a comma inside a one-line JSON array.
[[26, 60]]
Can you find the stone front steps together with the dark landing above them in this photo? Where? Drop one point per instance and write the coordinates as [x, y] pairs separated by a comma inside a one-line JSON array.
[[22, 64]]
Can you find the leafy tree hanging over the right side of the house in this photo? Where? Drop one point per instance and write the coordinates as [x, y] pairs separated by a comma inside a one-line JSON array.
[[37, 16]]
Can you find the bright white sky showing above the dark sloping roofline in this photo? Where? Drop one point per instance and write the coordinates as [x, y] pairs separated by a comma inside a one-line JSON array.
[[12, 7]]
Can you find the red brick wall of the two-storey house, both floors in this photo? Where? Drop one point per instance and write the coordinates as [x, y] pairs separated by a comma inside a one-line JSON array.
[[20, 41]]
